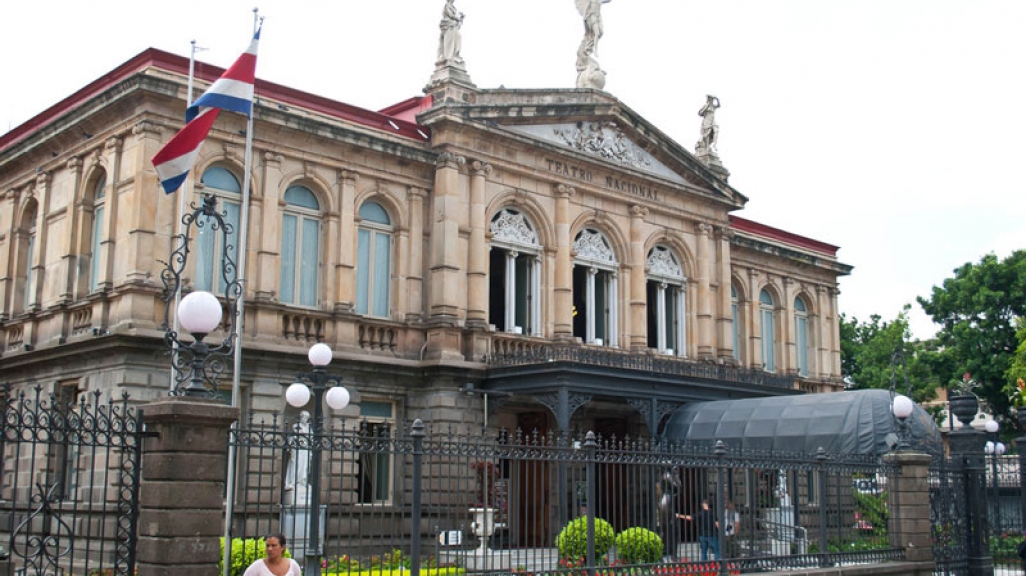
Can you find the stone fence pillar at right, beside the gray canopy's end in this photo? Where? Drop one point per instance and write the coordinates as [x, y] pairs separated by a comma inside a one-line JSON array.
[[909, 501]]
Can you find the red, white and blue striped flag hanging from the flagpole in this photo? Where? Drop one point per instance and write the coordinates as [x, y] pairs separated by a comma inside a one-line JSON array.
[[233, 92]]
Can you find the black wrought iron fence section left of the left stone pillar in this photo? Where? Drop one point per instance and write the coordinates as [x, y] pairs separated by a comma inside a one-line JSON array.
[[70, 488]]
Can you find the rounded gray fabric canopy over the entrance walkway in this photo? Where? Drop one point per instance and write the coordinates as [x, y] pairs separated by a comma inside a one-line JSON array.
[[851, 423]]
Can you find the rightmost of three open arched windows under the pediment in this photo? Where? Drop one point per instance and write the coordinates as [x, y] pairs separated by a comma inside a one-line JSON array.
[[666, 308]]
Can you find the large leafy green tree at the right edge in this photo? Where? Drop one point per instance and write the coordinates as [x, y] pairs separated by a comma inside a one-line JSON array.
[[977, 311]]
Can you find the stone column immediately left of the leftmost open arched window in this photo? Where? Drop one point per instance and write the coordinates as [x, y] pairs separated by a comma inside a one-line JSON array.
[[478, 267]]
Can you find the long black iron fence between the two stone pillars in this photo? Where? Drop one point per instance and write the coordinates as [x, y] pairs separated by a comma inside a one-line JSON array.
[[396, 496]]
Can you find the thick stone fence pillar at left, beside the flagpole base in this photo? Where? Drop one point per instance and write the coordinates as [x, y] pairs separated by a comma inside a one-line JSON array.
[[181, 495]]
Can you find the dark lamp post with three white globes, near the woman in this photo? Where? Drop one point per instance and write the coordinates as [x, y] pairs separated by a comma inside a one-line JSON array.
[[322, 387]]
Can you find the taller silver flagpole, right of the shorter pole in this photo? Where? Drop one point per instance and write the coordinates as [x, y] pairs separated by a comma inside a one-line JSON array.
[[241, 304]]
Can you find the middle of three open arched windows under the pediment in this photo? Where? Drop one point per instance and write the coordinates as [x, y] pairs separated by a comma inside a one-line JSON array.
[[596, 284]]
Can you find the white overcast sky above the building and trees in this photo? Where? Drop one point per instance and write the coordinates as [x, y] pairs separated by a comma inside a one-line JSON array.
[[895, 130]]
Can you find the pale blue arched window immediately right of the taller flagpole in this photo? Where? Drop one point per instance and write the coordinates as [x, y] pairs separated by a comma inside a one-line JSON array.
[[300, 247]]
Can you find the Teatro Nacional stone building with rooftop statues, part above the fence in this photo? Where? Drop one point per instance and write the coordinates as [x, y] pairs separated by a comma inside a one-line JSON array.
[[542, 259]]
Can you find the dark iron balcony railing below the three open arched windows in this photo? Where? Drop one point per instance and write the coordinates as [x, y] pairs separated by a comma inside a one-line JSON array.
[[527, 353]]
